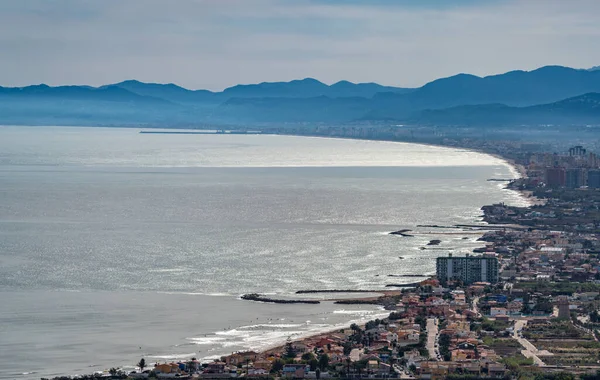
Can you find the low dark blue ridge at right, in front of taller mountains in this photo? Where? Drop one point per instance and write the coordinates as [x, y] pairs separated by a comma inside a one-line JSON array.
[[582, 109]]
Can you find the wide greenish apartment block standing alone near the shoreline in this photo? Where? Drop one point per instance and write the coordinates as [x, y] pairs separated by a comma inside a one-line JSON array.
[[468, 269]]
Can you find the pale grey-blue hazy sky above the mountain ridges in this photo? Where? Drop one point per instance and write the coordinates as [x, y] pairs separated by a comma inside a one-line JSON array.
[[214, 44]]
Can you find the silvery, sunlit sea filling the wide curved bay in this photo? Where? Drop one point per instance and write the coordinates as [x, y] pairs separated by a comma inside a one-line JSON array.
[[117, 245]]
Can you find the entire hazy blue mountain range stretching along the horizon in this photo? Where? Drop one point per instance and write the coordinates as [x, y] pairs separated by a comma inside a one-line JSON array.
[[548, 95]]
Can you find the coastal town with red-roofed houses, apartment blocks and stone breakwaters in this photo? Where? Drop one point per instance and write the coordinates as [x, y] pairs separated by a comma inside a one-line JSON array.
[[523, 306]]
